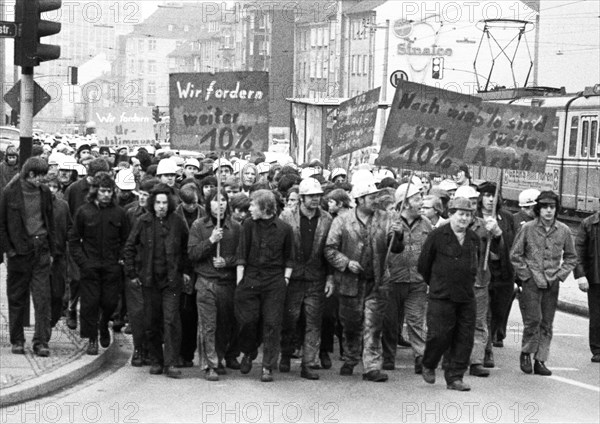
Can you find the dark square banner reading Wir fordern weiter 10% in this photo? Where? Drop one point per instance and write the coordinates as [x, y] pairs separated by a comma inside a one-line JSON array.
[[219, 112]]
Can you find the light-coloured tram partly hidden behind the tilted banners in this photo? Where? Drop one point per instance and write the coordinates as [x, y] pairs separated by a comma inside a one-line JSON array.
[[573, 171]]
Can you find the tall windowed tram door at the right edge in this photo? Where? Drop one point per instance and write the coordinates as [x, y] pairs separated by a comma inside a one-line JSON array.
[[588, 173]]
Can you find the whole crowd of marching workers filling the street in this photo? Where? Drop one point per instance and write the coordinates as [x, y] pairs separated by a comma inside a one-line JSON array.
[[224, 257]]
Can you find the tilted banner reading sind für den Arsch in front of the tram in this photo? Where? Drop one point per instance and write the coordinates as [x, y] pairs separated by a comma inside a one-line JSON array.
[[512, 137]]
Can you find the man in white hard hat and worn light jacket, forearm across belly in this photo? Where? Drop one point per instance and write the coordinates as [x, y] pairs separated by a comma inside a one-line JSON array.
[[357, 247]]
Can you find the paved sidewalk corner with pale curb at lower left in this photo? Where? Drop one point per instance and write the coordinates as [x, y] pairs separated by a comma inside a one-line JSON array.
[[24, 377]]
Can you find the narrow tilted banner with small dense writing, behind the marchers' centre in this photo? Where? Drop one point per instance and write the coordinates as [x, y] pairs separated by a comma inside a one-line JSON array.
[[355, 125]]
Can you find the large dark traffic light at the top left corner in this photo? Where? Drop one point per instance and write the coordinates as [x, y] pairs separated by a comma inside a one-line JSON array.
[[28, 49]]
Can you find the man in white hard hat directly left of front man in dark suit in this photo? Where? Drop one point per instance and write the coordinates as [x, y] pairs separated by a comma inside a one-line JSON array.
[[409, 291]]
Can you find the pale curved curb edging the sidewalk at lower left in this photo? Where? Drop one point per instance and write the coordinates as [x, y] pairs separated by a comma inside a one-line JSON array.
[[58, 378]]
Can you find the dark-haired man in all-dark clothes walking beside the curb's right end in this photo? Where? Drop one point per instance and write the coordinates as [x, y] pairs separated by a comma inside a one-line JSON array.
[[96, 240]]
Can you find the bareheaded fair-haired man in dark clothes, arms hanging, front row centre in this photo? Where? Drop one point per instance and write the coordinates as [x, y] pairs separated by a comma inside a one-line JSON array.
[[264, 267]]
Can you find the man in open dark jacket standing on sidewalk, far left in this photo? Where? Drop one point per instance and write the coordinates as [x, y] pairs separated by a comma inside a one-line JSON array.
[[27, 237]]
